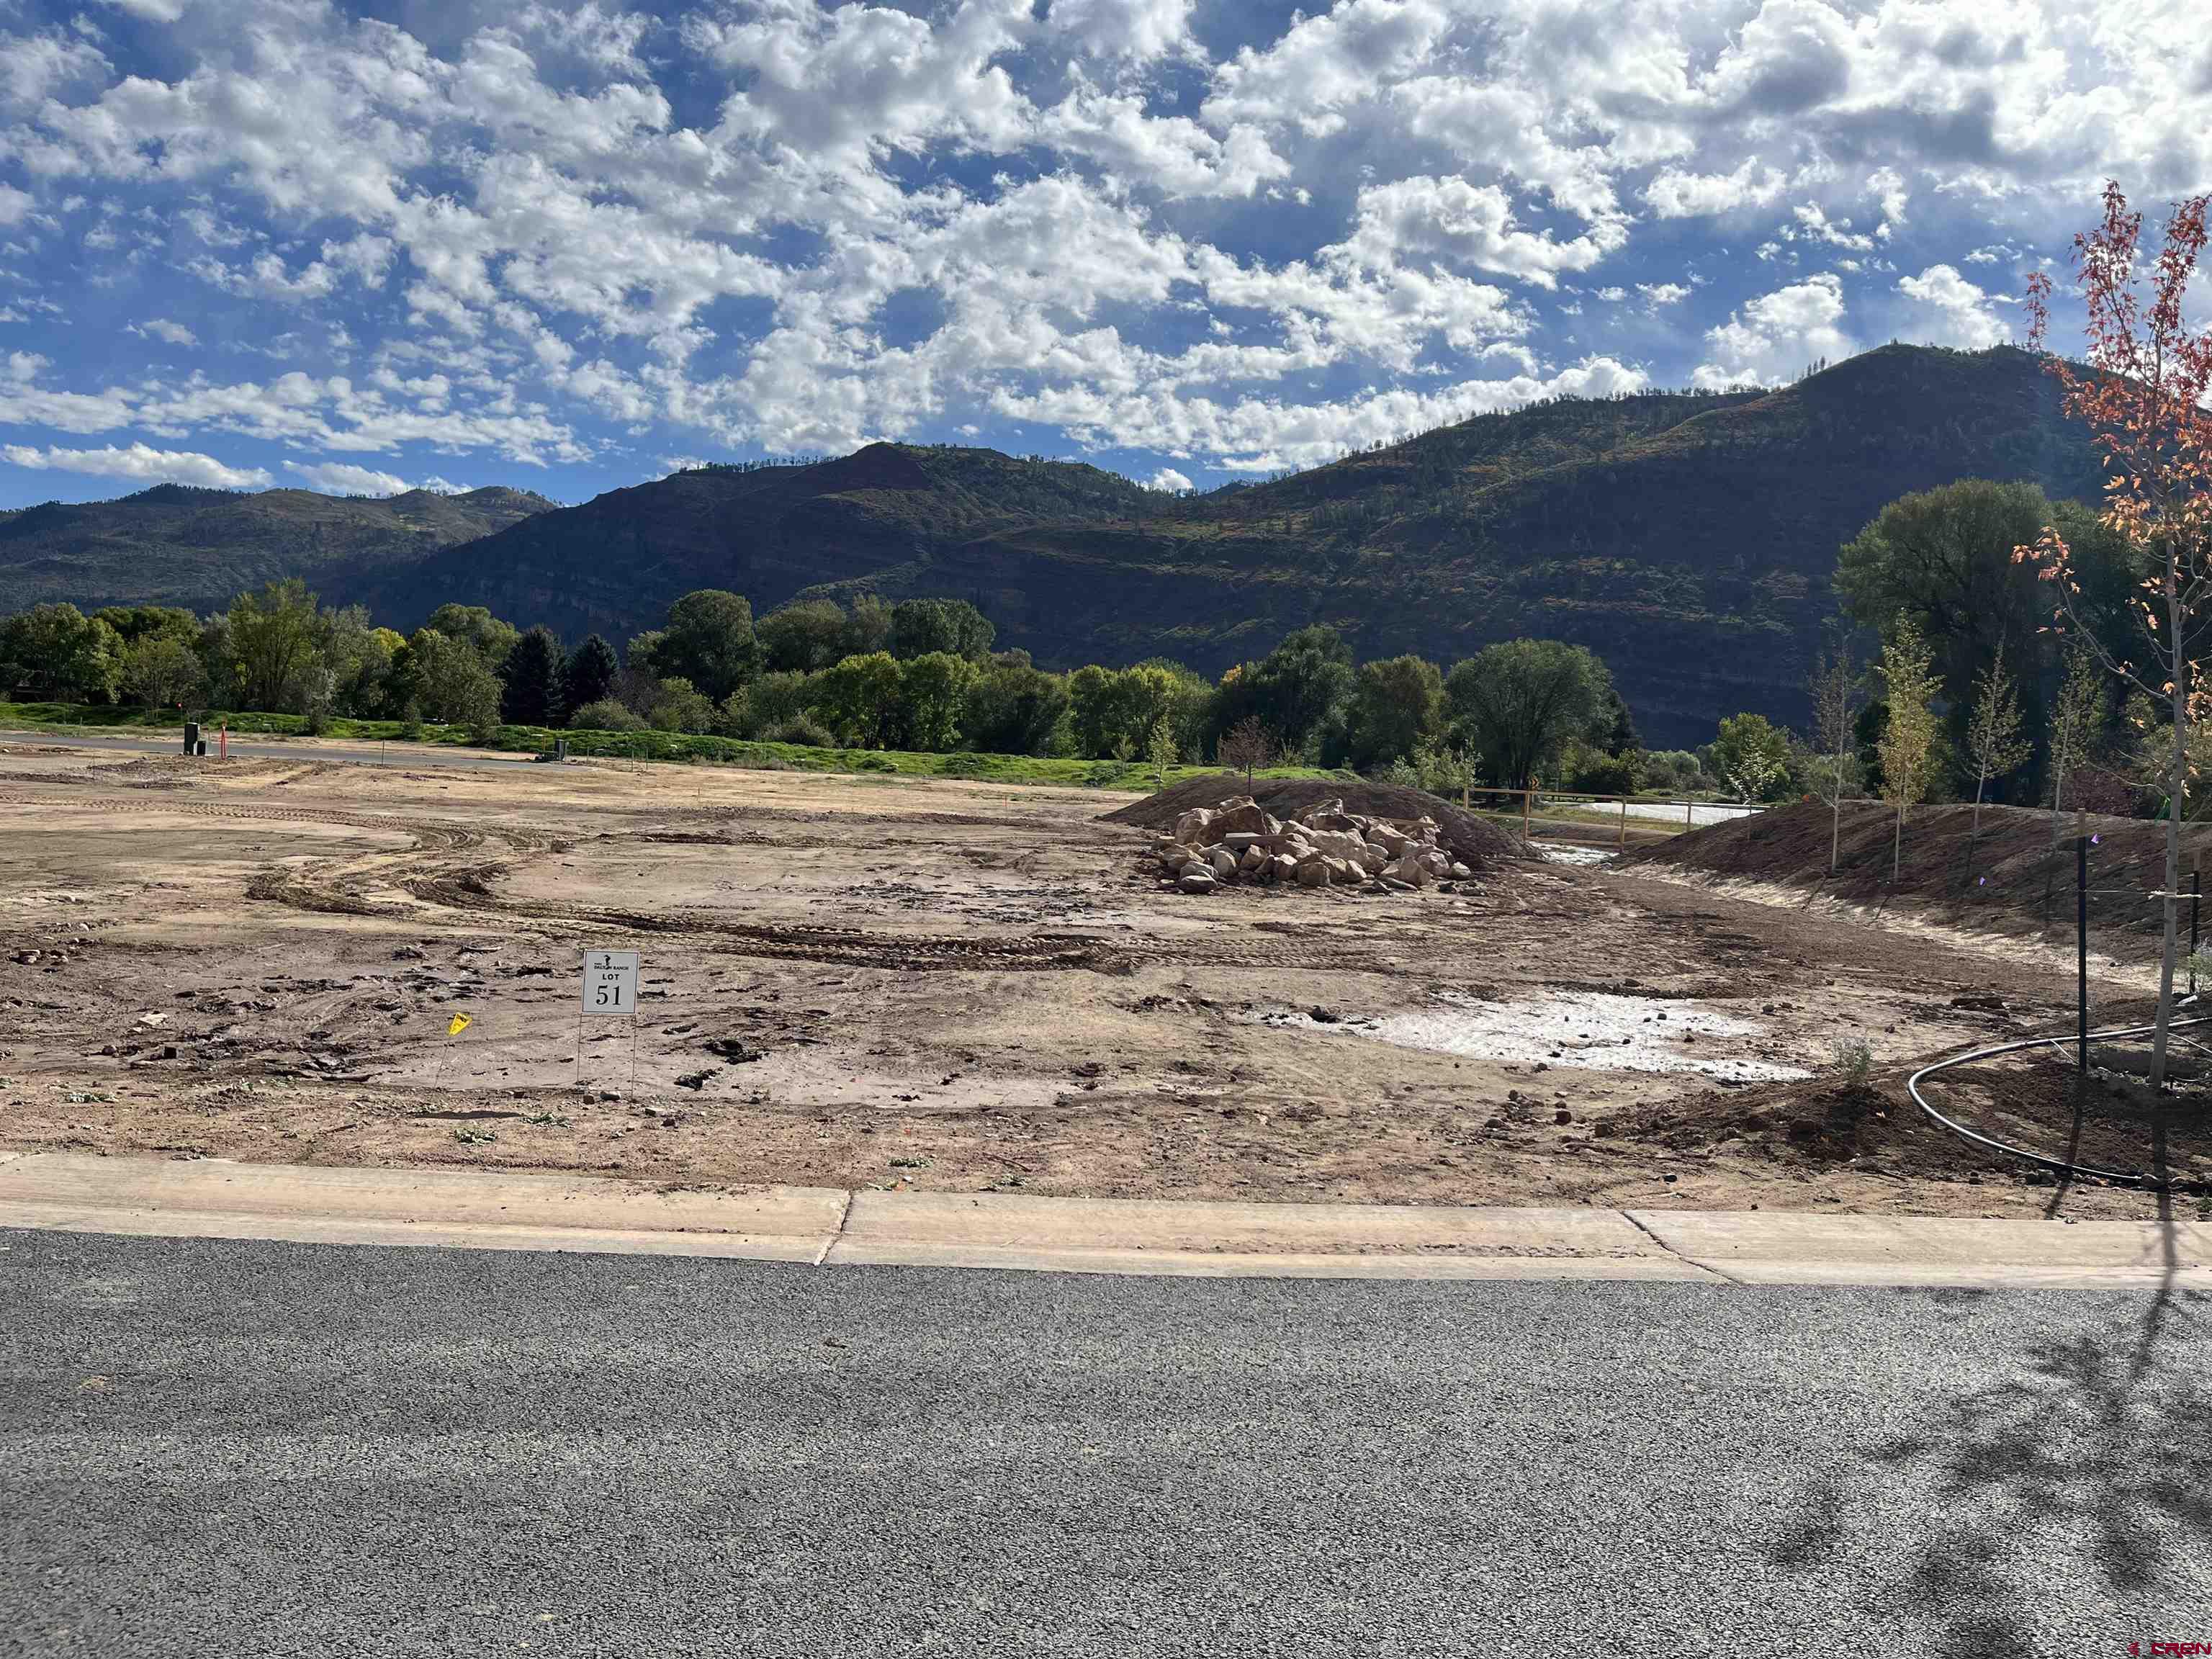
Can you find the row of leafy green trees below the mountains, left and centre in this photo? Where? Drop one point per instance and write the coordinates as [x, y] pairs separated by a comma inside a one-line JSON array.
[[870, 674]]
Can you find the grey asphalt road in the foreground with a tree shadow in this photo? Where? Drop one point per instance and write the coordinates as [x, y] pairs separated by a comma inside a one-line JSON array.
[[289, 1450]]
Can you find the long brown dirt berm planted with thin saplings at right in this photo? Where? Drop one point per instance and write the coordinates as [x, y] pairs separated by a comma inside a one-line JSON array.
[[2007, 879]]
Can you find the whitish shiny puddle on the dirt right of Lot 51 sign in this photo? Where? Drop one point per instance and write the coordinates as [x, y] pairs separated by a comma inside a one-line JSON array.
[[1583, 1030]]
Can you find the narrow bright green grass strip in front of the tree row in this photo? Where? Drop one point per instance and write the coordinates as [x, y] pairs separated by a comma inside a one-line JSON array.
[[649, 747]]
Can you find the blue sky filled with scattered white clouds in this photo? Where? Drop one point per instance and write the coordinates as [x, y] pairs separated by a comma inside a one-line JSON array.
[[570, 247]]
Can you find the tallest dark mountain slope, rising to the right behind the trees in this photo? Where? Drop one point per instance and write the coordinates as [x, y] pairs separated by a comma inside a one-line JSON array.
[[1689, 541]]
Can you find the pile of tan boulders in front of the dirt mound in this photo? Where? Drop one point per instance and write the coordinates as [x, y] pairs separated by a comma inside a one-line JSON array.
[[1319, 848]]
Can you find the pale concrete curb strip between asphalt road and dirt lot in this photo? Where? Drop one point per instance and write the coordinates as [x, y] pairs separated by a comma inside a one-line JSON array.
[[828, 1227]]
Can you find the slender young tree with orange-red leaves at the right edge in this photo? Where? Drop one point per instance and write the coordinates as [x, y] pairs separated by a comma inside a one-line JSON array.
[[2142, 395]]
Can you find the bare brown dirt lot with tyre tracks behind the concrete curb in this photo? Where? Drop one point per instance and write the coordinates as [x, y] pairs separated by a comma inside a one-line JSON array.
[[943, 985]]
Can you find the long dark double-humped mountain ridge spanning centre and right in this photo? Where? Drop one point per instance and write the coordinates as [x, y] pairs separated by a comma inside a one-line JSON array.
[[1684, 539]]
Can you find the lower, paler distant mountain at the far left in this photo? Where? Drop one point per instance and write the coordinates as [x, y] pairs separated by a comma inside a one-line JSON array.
[[198, 547]]
